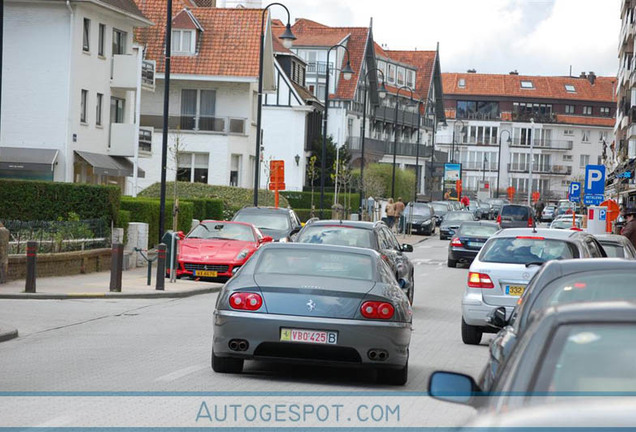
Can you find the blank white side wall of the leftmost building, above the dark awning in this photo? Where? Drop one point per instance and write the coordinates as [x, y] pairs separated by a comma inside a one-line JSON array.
[[35, 77]]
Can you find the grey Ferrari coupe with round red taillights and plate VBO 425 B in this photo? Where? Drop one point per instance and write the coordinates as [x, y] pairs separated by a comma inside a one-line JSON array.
[[316, 304]]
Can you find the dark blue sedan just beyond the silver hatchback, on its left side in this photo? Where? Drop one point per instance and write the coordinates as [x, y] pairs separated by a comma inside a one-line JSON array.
[[468, 241]]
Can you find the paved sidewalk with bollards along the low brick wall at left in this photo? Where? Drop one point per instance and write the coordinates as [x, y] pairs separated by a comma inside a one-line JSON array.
[[96, 285]]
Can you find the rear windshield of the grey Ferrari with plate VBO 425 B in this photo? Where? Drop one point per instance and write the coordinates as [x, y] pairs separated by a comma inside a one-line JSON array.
[[326, 263]]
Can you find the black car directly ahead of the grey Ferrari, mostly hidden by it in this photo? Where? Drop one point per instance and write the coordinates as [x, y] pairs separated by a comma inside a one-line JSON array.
[[369, 235]]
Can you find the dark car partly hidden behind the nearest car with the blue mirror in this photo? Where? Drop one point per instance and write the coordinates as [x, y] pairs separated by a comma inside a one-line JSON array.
[[557, 282]]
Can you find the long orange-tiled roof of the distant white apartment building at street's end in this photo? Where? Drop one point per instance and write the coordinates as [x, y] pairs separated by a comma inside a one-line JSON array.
[[544, 87]]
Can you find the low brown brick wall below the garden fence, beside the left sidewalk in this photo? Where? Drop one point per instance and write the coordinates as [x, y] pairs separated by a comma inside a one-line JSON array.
[[61, 264]]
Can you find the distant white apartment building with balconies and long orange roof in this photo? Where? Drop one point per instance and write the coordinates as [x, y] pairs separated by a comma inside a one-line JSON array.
[[498, 124]]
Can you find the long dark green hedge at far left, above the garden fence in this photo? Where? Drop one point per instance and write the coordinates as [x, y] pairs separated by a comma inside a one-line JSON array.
[[29, 200]]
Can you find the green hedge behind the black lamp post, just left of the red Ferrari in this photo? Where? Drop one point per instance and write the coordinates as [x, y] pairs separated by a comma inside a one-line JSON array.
[[147, 211]]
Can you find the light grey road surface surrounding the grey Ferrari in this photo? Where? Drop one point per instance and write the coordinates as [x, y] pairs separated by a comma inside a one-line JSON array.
[[164, 346]]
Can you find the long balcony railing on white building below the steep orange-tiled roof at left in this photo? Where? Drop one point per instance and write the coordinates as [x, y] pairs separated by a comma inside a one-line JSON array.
[[222, 125]]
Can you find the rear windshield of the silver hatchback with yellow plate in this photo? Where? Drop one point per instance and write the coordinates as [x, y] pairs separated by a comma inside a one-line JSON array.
[[517, 250]]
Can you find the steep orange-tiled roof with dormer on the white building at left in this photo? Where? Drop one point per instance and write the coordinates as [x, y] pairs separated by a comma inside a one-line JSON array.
[[228, 46]]
